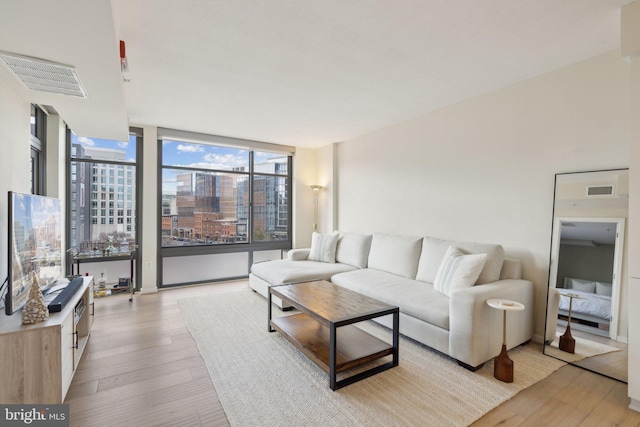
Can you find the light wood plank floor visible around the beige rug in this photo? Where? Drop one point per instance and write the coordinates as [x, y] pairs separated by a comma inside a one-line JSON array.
[[141, 367]]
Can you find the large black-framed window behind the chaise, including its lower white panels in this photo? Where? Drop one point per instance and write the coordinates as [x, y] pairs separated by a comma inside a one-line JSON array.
[[221, 197]]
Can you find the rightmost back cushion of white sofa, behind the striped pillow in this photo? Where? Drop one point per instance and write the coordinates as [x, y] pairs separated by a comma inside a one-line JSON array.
[[433, 250]]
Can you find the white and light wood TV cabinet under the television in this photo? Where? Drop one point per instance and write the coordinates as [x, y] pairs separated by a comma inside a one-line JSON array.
[[37, 362]]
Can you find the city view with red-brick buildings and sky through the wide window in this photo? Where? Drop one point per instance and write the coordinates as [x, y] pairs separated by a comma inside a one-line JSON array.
[[214, 195]]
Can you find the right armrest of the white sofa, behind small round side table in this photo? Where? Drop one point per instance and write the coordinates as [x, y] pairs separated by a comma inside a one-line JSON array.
[[475, 328]]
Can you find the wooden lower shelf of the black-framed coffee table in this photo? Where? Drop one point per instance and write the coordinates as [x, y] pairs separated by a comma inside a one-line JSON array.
[[354, 347]]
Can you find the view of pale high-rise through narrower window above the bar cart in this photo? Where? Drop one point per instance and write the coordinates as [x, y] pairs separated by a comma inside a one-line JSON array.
[[102, 196]]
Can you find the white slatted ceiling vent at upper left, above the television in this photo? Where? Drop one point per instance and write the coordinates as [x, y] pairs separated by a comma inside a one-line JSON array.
[[44, 76]]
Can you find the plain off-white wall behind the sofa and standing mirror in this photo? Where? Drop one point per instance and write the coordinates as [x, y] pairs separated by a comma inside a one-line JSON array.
[[483, 169]]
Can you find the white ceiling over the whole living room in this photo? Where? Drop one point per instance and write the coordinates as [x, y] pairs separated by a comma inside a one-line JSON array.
[[303, 73]]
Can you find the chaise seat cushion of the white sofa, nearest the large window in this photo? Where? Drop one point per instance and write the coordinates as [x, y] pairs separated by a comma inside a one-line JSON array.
[[282, 271]]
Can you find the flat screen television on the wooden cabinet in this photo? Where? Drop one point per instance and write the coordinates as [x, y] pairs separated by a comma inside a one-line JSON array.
[[35, 246]]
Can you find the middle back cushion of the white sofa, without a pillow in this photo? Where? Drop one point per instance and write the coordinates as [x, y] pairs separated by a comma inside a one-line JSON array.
[[395, 254]]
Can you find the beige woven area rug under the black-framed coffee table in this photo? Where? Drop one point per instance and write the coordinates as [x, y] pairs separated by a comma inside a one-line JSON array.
[[261, 379]]
